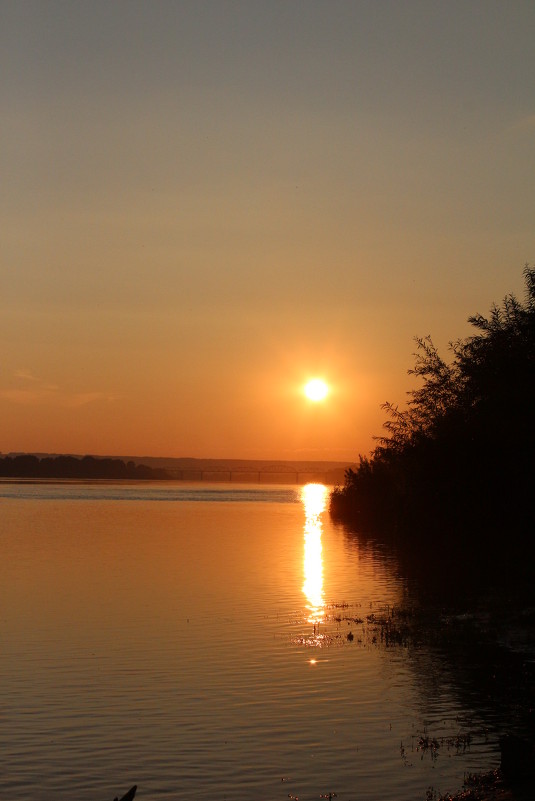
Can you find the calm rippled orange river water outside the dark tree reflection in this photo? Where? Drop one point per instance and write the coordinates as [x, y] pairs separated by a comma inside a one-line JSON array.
[[193, 640]]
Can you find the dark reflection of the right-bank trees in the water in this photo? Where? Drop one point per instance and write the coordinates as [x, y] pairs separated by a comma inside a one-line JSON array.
[[455, 626]]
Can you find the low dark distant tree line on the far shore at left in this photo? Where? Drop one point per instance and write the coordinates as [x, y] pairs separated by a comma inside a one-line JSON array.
[[29, 466]]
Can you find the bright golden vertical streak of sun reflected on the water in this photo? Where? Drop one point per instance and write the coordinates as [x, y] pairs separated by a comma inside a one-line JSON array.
[[314, 497]]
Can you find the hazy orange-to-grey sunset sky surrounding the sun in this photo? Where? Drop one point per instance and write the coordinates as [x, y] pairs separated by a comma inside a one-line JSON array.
[[205, 204]]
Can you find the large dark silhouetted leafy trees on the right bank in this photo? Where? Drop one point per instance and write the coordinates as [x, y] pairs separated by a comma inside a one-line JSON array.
[[459, 456]]
